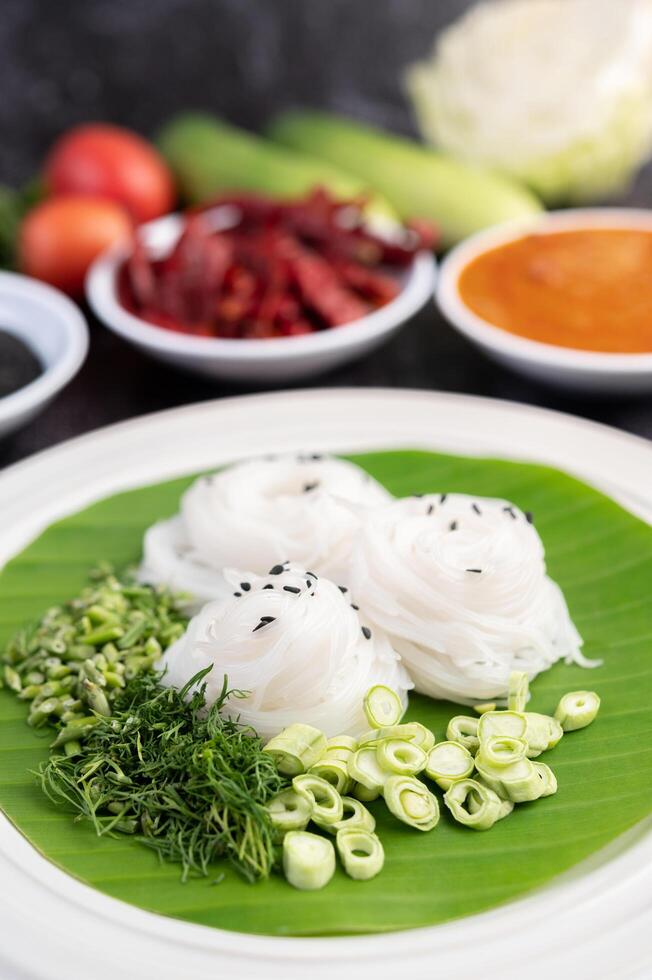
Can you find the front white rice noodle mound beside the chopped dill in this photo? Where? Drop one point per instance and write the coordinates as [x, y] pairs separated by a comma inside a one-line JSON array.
[[295, 643]]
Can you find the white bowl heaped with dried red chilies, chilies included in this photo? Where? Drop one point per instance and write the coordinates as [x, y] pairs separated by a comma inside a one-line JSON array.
[[250, 289]]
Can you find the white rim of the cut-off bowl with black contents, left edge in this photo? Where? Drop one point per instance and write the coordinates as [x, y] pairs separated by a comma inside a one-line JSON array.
[[60, 372]]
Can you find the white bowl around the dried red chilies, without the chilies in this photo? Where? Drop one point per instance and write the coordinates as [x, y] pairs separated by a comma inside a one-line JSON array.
[[277, 359]]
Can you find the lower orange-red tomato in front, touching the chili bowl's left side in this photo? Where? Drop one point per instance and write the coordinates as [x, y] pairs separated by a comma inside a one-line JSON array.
[[59, 238]]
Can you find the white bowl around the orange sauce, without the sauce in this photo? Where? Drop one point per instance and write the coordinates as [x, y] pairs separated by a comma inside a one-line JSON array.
[[561, 366]]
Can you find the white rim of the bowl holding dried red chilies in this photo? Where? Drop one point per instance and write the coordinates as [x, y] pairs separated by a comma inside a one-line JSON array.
[[102, 296]]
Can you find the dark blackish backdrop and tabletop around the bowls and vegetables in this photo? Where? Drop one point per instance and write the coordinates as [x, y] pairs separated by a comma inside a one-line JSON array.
[[138, 62]]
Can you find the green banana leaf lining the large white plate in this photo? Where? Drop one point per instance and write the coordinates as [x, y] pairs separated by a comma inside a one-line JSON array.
[[602, 557]]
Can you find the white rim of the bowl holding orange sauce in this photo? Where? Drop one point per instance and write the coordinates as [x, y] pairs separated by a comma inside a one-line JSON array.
[[487, 334]]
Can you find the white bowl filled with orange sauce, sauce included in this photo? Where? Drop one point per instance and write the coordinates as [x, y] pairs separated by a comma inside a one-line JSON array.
[[564, 298]]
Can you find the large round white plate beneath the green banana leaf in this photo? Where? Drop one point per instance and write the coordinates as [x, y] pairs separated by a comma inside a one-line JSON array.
[[593, 923]]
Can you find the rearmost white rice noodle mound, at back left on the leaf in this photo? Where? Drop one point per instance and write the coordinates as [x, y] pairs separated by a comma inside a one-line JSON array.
[[305, 509]]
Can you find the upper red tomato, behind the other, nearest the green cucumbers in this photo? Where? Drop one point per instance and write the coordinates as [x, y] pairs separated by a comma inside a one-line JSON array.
[[111, 162]]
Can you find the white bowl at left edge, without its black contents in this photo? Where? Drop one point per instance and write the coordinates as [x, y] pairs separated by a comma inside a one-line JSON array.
[[54, 329]]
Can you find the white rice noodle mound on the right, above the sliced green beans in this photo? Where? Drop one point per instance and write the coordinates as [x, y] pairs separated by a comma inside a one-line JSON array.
[[460, 586]]
